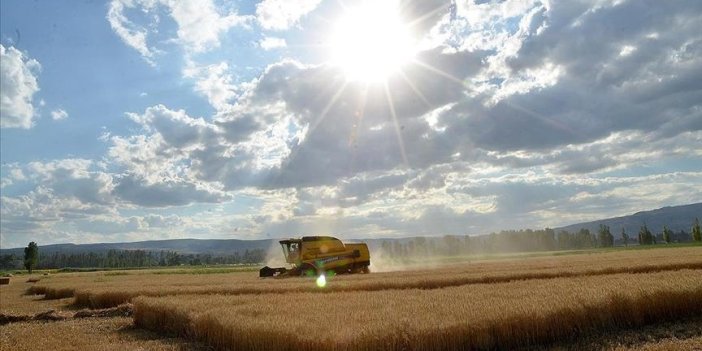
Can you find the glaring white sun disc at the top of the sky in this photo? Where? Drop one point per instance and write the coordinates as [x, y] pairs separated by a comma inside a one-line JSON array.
[[371, 42]]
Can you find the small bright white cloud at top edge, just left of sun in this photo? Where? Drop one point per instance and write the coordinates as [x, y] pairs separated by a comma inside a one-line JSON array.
[[283, 14]]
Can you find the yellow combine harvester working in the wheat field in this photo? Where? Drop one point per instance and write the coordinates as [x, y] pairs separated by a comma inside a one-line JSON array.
[[312, 255]]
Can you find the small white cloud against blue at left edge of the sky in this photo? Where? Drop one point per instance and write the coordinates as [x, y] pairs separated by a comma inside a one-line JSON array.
[[18, 84]]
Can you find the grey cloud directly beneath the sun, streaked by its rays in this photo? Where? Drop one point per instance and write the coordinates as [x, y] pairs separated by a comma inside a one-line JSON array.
[[352, 127]]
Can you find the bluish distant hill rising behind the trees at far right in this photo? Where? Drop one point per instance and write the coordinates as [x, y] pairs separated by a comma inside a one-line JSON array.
[[677, 218]]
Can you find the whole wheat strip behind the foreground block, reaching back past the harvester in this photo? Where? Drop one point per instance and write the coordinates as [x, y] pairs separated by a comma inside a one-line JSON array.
[[106, 290]]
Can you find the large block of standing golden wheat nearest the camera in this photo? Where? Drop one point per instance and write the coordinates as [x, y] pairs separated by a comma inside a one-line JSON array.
[[484, 316]]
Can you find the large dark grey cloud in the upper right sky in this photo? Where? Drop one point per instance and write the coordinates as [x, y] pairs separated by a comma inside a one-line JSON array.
[[597, 91]]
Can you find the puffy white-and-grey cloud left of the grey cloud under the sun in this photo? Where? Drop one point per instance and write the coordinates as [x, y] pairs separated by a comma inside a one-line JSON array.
[[233, 152]]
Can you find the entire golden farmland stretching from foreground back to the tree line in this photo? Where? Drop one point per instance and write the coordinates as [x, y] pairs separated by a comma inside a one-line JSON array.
[[477, 304]]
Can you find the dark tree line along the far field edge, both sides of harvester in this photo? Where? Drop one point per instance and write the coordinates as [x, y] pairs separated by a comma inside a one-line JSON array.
[[506, 241]]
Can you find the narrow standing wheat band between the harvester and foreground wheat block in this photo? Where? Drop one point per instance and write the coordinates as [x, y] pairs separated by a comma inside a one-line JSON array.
[[110, 297]]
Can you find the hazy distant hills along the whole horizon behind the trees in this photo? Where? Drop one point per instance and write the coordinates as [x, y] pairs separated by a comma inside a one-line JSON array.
[[677, 218]]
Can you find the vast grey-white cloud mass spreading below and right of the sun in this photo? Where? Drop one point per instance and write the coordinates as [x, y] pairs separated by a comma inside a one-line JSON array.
[[513, 114]]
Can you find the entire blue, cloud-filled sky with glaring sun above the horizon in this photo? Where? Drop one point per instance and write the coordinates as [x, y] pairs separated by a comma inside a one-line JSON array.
[[129, 120]]
